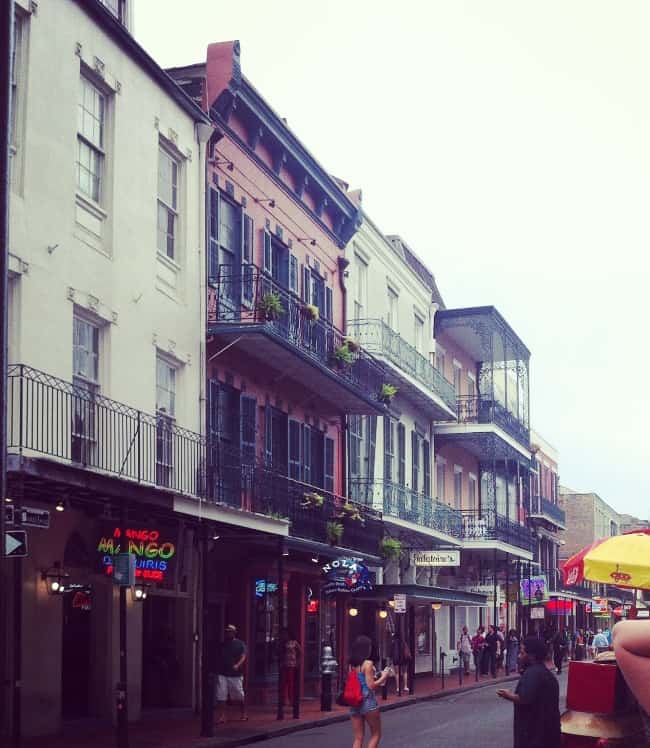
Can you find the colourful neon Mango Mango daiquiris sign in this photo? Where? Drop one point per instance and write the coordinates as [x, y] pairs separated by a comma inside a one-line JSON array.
[[152, 556]]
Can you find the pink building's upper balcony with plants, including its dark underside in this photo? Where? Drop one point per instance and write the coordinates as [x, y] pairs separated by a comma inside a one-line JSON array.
[[281, 334]]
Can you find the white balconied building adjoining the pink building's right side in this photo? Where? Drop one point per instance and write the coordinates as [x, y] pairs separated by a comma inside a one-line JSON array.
[[391, 302]]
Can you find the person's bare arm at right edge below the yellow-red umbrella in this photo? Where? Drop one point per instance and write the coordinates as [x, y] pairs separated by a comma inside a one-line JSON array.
[[632, 648]]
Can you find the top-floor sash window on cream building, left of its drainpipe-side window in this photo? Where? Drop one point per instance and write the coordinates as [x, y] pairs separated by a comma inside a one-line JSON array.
[[91, 129]]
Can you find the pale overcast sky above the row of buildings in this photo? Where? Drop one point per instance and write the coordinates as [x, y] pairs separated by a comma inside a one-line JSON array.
[[507, 142]]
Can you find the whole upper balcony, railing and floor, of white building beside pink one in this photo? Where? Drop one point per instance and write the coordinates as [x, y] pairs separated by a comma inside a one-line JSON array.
[[417, 377]]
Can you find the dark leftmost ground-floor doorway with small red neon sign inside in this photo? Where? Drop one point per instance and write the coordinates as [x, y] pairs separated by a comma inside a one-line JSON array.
[[76, 660]]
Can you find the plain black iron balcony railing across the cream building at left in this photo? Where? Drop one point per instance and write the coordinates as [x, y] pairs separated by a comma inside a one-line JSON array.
[[52, 417]]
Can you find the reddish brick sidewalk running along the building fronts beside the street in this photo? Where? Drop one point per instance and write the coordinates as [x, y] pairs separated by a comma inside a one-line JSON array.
[[183, 731]]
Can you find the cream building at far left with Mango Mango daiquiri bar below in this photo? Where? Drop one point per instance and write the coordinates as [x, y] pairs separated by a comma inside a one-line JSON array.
[[106, 345]]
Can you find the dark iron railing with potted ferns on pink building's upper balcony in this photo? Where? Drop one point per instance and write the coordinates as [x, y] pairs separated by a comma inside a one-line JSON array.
[[244, 295]]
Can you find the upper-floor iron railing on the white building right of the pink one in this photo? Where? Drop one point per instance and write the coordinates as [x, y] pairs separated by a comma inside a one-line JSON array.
[[377, 337]]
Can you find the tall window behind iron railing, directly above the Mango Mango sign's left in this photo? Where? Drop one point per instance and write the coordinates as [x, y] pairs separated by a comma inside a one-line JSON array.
[[85, 380]]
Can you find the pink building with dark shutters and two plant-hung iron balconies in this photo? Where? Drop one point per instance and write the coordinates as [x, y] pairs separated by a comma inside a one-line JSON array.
[[281, 375]]
